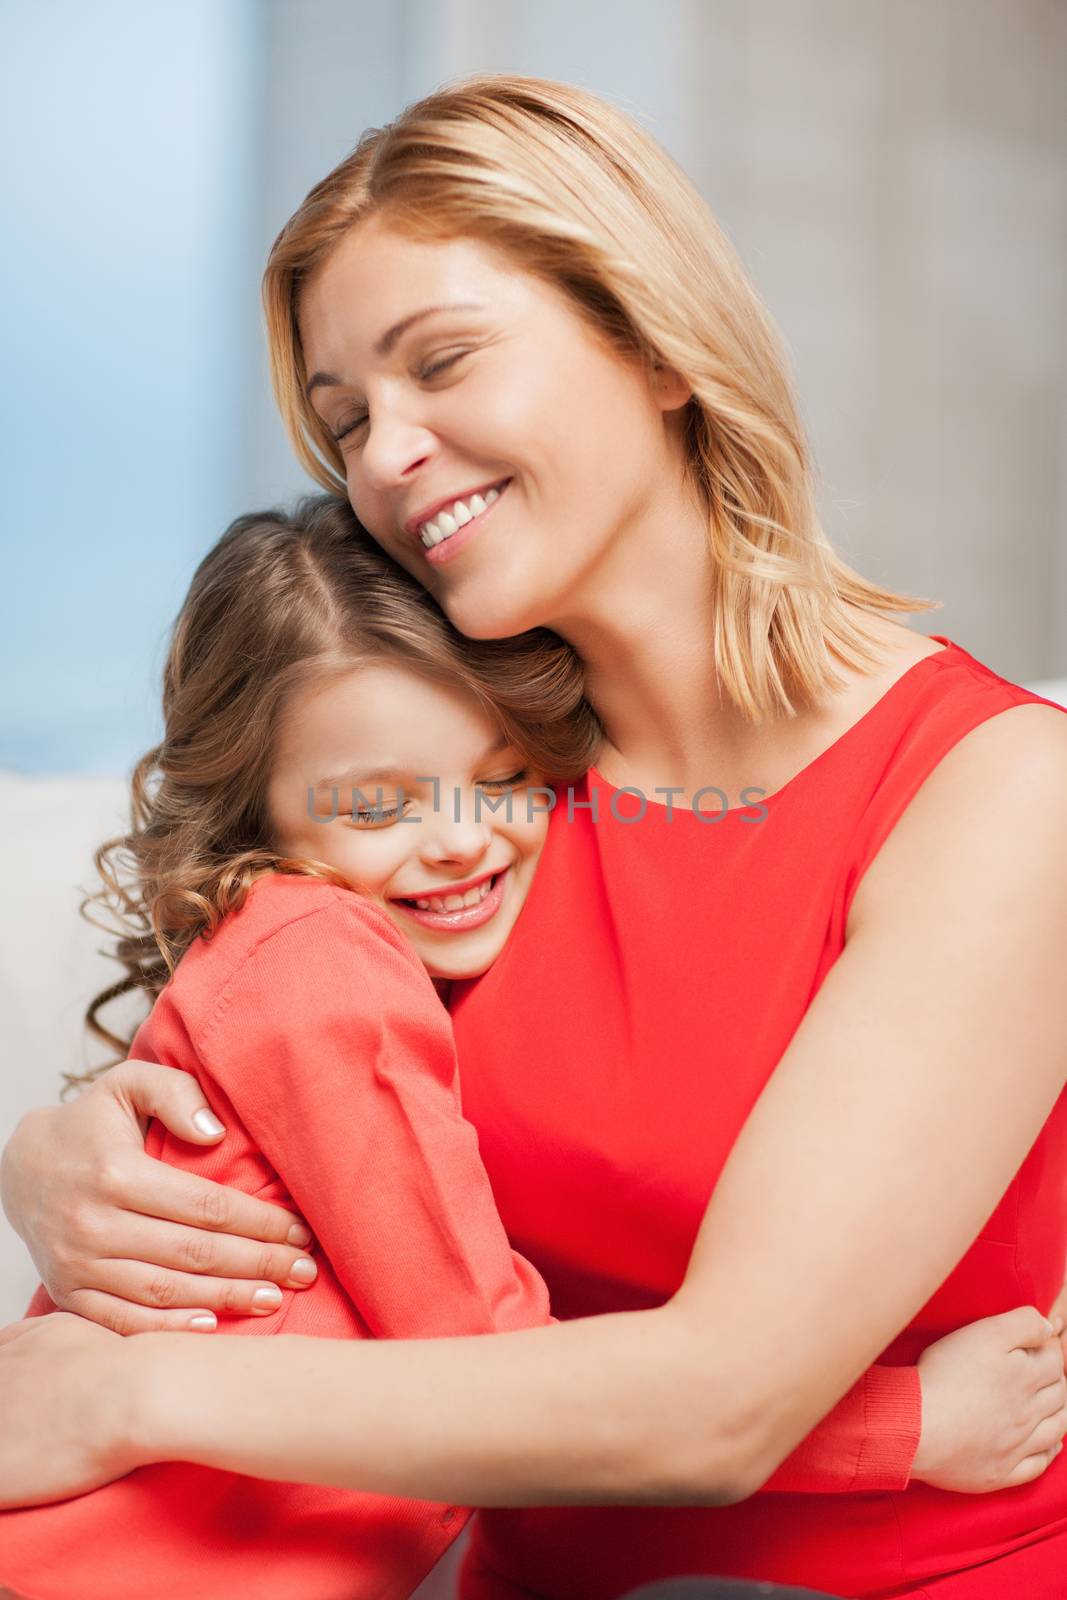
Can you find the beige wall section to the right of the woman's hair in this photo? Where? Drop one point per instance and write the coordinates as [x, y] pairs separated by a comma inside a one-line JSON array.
[[895, 177]]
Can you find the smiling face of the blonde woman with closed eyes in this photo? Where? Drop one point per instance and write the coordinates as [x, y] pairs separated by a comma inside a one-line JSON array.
[[497, 382]]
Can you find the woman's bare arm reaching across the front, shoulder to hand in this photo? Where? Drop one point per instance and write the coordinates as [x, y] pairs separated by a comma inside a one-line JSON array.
[[909, 1097]]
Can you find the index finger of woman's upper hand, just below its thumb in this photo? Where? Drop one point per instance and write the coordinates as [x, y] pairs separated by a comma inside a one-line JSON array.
[[161, 1191]]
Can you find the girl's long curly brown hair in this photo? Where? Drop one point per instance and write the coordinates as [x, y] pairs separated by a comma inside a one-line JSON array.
[[282, 602]]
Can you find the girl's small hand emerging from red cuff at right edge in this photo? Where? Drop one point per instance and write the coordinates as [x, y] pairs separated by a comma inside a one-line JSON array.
[[994, 1404]]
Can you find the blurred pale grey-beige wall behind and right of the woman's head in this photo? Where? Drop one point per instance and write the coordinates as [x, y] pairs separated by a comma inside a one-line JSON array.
[[893, 174]]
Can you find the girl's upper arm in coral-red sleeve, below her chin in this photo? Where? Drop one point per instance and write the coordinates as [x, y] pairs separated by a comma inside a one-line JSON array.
[[337, 1055]]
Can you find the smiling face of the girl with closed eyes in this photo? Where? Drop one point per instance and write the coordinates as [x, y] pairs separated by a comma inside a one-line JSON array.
[[430, 812]]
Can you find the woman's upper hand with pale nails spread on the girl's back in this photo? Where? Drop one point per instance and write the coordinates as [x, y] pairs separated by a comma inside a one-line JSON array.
[[127, 1241]]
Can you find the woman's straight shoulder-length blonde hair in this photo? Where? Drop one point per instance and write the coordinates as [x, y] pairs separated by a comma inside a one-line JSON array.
[[583, 198]]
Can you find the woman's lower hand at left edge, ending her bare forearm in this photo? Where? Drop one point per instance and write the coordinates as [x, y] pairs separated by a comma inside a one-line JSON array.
[[63, 1410]]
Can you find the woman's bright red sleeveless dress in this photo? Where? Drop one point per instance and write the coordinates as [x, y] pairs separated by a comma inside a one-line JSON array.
[[609, 1062]]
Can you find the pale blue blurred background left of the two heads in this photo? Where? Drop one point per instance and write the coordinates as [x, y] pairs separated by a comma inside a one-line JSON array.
[[129, 289]]
